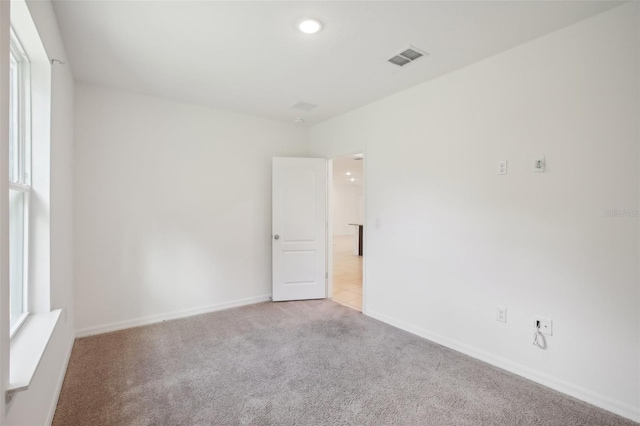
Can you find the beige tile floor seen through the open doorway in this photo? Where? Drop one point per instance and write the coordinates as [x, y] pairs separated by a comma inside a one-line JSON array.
[[347, 272]]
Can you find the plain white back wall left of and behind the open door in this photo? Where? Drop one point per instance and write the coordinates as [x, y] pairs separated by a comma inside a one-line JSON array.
[[173, 207]]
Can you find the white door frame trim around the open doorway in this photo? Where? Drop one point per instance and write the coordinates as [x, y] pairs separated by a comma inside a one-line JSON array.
[[329, 236]]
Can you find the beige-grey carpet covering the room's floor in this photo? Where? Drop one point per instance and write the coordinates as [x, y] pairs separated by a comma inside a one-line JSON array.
[[296, 363]]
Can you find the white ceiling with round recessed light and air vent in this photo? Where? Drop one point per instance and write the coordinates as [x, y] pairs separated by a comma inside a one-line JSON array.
[[249, 57]]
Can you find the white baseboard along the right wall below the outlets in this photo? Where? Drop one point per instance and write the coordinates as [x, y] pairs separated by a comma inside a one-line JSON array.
[[601, 401]]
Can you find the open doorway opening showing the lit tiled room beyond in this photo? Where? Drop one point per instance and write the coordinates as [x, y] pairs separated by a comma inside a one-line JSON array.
[[347, 225]]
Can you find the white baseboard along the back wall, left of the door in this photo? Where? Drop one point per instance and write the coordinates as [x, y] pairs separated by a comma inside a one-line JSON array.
[[121, 325]]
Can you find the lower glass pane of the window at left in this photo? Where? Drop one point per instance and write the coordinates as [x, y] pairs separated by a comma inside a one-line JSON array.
[[17, 201]]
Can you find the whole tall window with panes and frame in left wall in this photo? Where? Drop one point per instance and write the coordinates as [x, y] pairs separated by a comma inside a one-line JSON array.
[[19, 181]]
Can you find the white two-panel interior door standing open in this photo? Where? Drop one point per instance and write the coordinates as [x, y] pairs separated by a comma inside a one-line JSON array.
[[299, 228]]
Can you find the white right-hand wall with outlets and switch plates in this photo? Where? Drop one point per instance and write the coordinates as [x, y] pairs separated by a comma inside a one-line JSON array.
[[456, 240]]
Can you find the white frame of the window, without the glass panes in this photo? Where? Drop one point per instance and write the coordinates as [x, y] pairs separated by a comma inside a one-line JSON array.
[[22, 183]]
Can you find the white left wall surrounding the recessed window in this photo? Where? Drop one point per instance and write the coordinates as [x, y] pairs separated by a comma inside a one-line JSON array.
[[36, 405]]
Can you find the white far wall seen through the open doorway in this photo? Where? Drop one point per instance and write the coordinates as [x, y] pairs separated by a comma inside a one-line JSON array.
[[346, 209]]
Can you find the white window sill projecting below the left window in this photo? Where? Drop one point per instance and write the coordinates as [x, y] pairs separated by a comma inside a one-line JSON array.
[[27, 348]]
